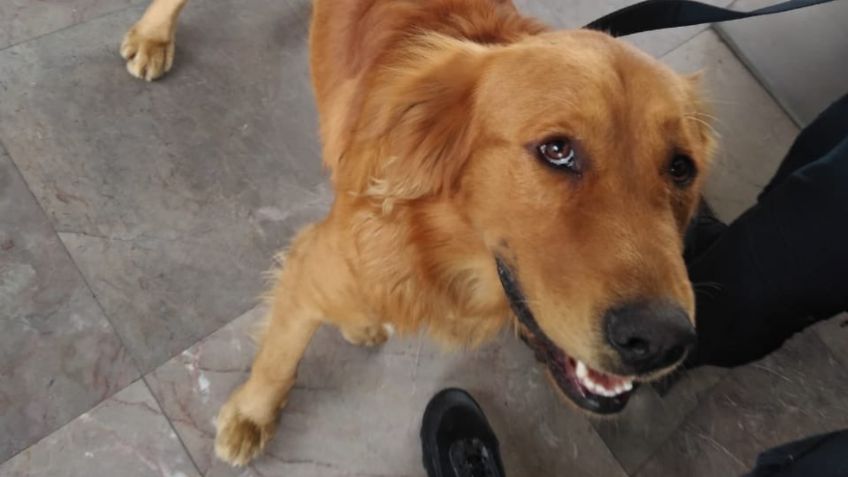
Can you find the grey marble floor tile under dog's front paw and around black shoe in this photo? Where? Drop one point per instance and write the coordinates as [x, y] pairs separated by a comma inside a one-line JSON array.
[[357, 411]]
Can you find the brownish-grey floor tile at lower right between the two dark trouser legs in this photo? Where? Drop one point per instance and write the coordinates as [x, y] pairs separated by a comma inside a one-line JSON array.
[[793, 393]]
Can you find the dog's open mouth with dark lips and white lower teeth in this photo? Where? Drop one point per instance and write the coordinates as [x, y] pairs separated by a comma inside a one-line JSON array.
[[588, 388]]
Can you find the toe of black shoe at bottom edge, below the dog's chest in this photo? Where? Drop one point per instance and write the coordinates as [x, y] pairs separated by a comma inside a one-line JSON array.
[[457, 439]]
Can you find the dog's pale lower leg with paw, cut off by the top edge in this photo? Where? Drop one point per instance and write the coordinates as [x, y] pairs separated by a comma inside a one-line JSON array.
[[149, 45]]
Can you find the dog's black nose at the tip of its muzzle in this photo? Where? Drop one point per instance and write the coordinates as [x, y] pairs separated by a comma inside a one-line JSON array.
[[649, 335]]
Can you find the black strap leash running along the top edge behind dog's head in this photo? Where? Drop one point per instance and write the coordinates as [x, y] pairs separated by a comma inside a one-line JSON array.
[[658, 14]]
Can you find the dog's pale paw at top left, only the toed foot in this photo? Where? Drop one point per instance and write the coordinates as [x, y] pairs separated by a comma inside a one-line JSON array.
[[149, 54]]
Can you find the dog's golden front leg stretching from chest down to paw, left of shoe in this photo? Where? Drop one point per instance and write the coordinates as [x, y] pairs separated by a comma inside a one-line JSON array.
[[248, 419]]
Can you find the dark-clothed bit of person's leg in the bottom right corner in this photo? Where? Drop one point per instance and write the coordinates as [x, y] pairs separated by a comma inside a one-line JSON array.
[[824, 455]]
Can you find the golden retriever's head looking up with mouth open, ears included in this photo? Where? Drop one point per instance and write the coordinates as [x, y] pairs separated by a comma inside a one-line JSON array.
[[579, 161]]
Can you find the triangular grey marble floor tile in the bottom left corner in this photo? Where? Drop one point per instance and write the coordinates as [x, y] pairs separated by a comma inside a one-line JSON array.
[[125, 436]]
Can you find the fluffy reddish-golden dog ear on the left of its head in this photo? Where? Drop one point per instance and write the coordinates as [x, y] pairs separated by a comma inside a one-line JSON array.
[[426, 119]]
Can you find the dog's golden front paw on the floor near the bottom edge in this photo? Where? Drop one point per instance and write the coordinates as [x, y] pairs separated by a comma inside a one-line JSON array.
[[240, 439]]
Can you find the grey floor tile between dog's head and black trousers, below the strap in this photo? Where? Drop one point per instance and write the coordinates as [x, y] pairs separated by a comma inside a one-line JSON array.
[[754, 132]]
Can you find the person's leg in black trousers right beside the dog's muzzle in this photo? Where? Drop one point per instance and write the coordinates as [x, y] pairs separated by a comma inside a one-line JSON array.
[[781, 265]]
